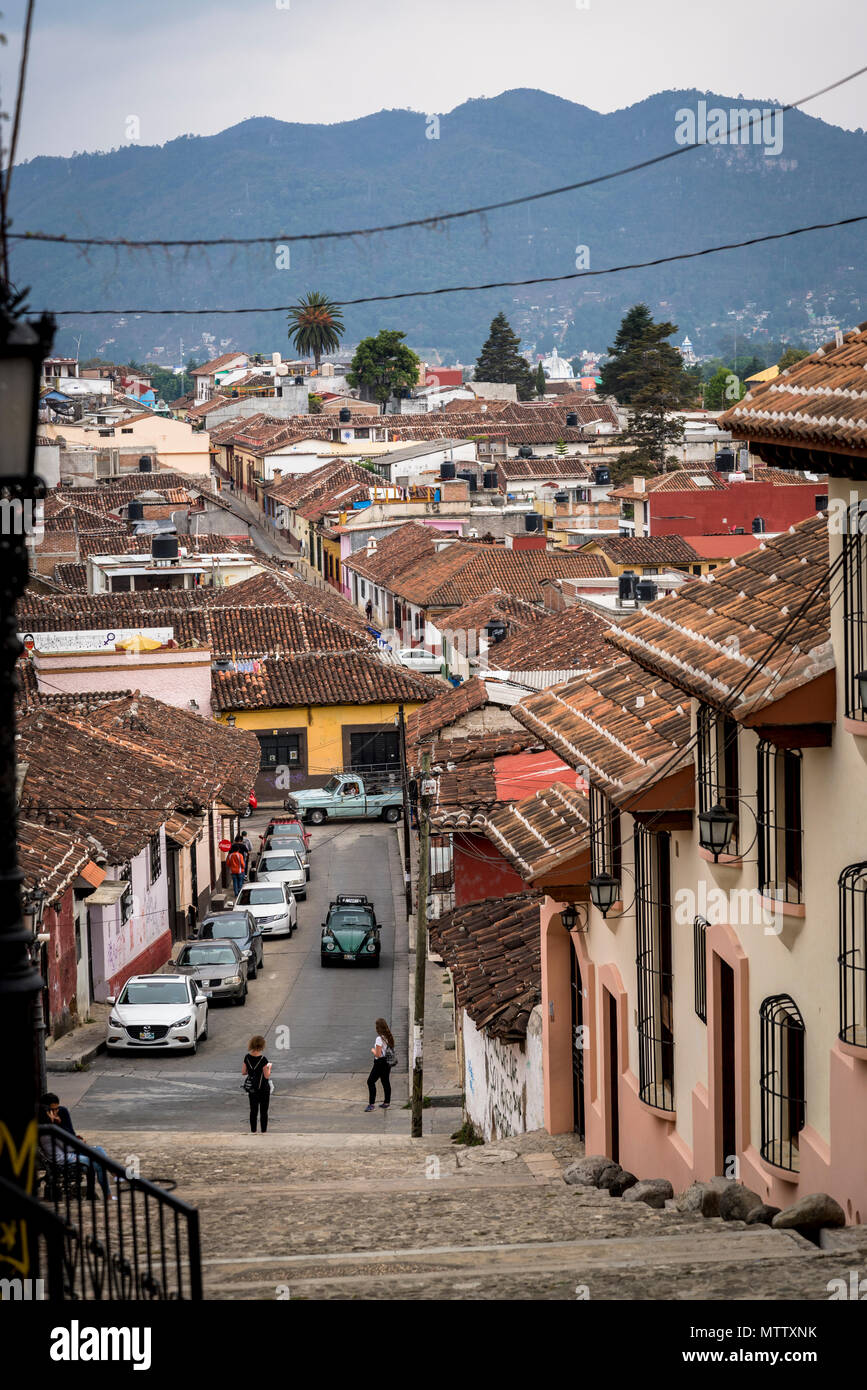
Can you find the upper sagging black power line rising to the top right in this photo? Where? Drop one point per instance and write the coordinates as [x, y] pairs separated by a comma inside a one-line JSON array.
[[437, 219]]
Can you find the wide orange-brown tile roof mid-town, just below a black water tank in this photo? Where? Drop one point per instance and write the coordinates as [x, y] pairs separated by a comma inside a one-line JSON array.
[[462, 572]]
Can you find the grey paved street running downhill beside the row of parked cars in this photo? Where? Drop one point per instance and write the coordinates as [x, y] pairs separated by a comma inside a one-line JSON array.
[[319, 1024]]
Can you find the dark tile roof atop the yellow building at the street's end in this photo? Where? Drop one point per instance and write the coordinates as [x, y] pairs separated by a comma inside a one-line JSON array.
[[320, 679]]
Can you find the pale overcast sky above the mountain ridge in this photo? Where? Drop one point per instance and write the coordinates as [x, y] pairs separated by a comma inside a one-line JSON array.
[[201, 66]]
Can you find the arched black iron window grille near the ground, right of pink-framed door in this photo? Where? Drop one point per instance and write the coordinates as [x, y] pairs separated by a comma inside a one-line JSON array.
[[784, 1110]]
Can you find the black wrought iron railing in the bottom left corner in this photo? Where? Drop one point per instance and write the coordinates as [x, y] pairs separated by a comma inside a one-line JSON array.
[[95, 1231]]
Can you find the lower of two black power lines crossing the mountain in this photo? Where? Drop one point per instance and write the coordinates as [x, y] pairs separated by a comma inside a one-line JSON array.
[[465, 290]]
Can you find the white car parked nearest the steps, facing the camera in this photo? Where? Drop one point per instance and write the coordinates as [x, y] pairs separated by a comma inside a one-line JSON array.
[[166, 1011]]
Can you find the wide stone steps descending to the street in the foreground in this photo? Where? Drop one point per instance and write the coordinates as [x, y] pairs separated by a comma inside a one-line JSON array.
[[387, 1217]]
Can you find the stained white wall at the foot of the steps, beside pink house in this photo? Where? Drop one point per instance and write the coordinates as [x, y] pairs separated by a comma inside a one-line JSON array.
[[504, 1081]]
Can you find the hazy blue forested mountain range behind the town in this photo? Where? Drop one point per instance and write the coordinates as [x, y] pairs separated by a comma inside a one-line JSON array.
[[267, 177]]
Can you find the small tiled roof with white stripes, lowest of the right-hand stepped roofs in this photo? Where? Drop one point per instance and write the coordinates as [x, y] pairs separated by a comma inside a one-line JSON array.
[[530, 832]]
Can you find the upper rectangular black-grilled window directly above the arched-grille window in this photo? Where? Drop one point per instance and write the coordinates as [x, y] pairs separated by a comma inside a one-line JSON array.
[[780, 824]]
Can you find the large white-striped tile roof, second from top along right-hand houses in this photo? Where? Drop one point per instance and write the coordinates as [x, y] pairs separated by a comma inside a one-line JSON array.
[[716, 632]]
